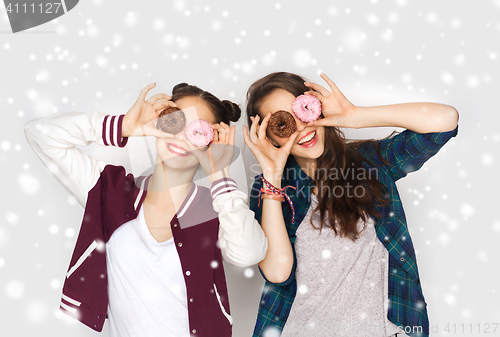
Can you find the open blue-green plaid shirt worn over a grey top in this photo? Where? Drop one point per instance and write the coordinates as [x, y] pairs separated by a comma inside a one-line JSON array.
[[407, 151]]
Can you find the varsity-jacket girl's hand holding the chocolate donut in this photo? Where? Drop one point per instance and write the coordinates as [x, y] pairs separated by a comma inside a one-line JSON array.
[[141, 118]]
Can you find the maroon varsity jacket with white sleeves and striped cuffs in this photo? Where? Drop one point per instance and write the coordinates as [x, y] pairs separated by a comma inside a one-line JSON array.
[[208, 226]]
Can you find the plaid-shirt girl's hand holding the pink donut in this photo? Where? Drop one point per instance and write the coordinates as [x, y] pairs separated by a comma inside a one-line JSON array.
[[338, 111]]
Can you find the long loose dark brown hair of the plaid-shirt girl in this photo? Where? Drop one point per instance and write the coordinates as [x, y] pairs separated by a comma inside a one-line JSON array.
[[338, 155]]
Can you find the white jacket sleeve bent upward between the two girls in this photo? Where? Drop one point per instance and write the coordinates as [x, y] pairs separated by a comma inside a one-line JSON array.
[[241, 239]]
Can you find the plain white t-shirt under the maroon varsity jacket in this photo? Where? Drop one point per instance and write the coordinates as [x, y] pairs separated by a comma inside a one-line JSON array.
[[146, 288]]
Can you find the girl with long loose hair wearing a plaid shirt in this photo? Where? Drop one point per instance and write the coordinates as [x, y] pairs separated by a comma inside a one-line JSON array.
[[341, 261]]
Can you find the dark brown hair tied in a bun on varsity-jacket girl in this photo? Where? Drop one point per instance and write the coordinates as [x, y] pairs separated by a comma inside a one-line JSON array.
[[225, 111]]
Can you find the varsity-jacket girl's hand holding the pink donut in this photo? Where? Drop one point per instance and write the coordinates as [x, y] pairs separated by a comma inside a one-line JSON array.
[[218, 156]]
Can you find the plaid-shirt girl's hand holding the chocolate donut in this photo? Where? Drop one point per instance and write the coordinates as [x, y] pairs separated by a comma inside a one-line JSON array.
[[272, 160]]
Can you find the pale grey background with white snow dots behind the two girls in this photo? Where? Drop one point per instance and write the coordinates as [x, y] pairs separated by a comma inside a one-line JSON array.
[[378, 52]]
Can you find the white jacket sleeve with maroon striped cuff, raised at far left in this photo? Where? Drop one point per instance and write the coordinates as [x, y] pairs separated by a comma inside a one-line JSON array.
[[54, 139]]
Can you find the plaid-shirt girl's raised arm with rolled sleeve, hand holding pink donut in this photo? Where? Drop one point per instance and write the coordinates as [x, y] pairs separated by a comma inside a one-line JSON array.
[[428, 126]]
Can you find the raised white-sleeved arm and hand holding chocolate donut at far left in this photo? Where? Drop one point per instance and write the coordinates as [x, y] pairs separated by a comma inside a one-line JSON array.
[[55, 139]]
